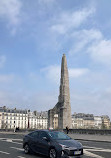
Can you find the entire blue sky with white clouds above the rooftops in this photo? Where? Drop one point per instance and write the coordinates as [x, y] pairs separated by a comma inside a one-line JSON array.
[[34, 34]]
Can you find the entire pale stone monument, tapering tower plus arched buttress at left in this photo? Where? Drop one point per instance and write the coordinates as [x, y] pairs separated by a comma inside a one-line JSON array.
[[63, 107]]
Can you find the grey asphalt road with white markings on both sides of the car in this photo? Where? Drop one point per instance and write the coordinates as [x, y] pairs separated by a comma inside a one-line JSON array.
[[11, 147]]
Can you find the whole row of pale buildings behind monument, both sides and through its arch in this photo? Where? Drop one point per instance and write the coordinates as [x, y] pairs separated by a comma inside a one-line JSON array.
[[14, 118]]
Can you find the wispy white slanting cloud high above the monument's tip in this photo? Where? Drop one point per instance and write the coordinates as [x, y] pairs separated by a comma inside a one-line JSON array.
[[70, 20]]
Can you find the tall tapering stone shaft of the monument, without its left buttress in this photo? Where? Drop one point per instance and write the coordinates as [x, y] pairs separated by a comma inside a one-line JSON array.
[[64, 116]]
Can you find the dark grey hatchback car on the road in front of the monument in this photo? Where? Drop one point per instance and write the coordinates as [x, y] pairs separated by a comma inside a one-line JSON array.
[[54, 144]]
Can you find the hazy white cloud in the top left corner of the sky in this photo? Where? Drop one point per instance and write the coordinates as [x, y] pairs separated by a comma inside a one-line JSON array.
[[10, 10]]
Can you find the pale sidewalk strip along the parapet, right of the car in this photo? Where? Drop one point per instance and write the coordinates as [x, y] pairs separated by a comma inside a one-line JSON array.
[[90, 137]]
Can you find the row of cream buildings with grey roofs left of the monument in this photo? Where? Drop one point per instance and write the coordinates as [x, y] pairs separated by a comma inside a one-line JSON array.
[[13, 118]]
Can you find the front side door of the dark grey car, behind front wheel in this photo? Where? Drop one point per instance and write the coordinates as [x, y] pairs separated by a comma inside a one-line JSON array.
[[44, 144]]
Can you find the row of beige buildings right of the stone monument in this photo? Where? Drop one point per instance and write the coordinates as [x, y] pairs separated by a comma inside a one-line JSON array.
[[90, 121]]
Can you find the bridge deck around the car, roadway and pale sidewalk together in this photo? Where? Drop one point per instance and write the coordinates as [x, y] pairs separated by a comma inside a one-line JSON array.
[[95, 146]]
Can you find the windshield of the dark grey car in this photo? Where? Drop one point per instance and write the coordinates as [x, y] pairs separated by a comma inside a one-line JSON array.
[[58, 135]]
